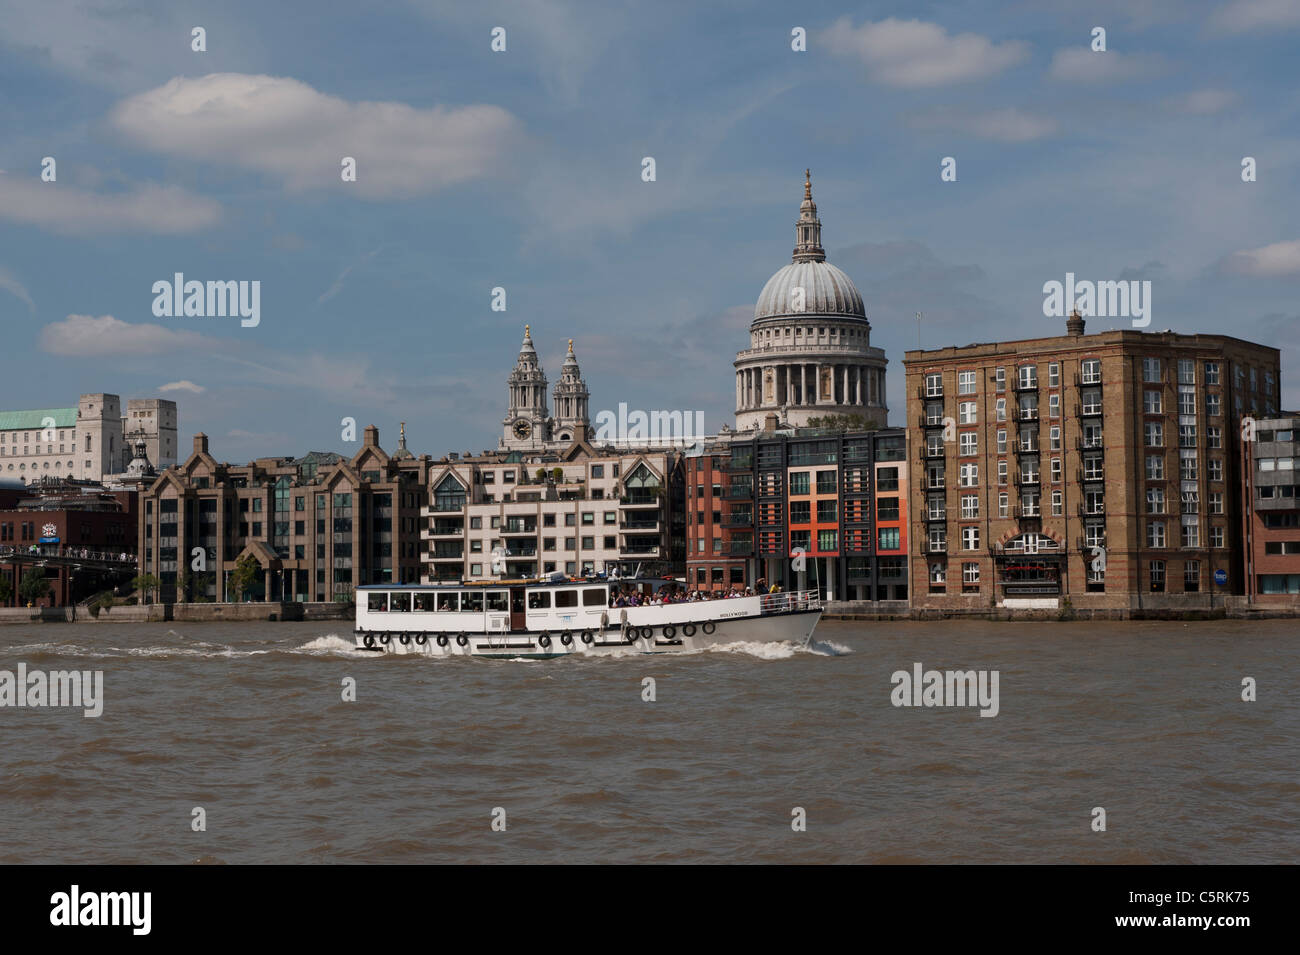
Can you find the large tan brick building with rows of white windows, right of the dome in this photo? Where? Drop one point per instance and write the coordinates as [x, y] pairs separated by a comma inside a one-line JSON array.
[[1103, 470]]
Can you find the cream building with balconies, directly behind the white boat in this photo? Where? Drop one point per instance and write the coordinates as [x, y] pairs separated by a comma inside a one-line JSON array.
[[579, 511]]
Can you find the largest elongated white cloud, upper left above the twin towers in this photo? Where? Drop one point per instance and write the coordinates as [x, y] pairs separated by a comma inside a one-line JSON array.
[[285, 129]]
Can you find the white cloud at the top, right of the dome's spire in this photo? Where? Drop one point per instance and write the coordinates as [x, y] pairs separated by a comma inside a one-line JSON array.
[[913, 54]]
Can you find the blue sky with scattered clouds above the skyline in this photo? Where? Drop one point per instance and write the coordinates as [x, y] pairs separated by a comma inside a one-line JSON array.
[[523, 170]]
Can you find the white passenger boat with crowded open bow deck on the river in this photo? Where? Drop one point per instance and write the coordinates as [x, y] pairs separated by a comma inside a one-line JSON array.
[[556, 618]]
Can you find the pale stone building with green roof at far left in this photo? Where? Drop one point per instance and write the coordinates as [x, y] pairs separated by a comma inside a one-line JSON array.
[[90, 442]]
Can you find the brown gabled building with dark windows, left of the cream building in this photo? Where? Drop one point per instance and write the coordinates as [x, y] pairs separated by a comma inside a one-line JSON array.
[[318, 526]]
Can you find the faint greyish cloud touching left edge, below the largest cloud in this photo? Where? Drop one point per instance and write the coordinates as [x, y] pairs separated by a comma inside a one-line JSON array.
[[62, 209]]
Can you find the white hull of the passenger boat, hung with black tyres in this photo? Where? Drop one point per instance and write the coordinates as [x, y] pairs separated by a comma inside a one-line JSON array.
[[795, 627]]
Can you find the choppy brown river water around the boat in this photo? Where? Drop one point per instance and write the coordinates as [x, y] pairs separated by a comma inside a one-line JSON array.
[[248, 722]]
